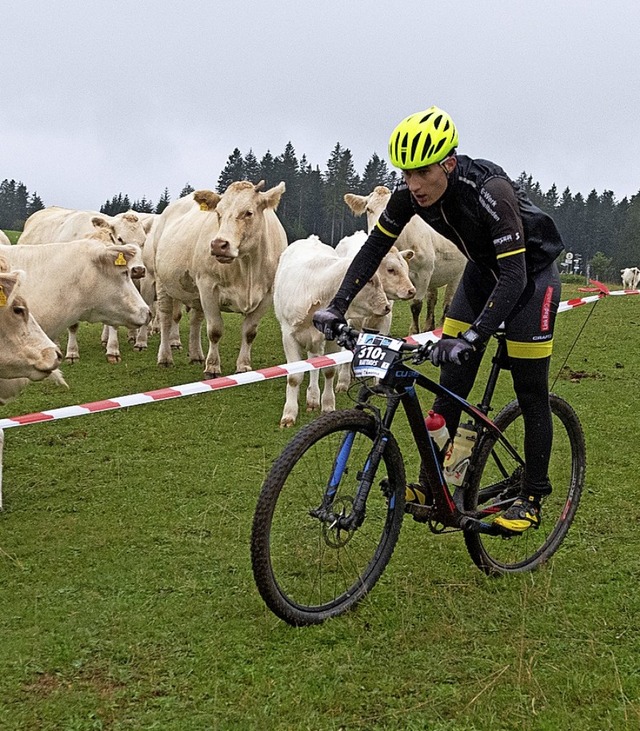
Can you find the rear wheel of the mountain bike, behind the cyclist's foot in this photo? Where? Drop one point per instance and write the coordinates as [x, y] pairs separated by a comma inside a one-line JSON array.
[[495, 483]]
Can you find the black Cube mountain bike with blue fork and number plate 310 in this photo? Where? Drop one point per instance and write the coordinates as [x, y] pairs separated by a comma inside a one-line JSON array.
[[331, 507]]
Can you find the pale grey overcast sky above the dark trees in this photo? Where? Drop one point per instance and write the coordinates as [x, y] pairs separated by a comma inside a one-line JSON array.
[[106, 97]]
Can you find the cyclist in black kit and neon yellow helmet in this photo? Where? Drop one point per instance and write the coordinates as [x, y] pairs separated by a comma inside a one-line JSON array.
[[510, 278]]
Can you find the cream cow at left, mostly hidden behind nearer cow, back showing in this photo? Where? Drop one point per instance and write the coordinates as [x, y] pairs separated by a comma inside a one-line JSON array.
[[56, 224]]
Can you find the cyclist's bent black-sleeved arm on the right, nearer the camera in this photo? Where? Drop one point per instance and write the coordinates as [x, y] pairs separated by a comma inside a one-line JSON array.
[[500, 207]]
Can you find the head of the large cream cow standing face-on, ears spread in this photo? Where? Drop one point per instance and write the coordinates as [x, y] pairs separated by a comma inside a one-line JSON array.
[[241, 211]]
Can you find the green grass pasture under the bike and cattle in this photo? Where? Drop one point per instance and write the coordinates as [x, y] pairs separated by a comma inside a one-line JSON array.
[[128, 601]]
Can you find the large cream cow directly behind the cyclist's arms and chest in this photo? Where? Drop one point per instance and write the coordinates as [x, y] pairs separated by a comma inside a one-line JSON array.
[[437, 262]]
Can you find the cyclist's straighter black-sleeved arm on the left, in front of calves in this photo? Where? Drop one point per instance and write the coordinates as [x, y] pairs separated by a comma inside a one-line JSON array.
[[392, 220]]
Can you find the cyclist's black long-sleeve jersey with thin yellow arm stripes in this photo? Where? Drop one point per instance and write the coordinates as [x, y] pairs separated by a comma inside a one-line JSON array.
[[488, 217]]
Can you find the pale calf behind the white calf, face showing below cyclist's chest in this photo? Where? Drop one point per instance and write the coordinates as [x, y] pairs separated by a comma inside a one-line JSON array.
[[396, 283]]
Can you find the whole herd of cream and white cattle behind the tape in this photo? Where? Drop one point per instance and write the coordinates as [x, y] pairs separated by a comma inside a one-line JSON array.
[[208, 253]]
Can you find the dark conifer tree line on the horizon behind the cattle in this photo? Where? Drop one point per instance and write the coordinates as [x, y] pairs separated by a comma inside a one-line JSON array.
[[601, 234]]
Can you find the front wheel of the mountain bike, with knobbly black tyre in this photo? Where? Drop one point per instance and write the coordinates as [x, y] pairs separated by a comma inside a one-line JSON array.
[[308, 569]]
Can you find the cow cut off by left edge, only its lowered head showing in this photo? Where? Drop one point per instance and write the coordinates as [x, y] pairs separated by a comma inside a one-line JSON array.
[[27, 352]]
